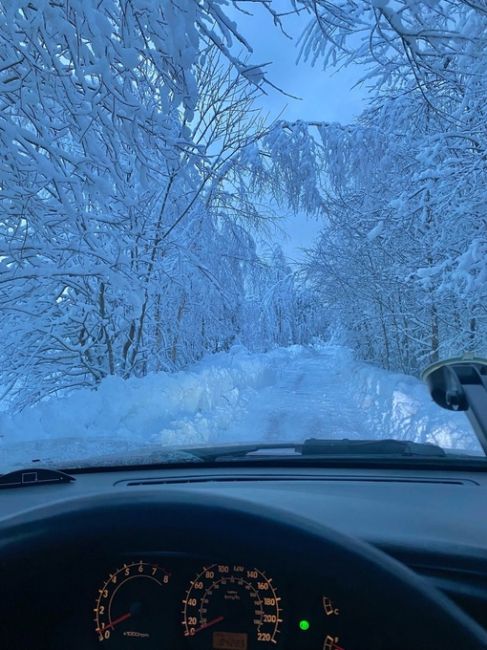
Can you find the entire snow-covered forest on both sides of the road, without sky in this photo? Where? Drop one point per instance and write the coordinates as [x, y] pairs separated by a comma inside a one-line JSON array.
[[137, 178]]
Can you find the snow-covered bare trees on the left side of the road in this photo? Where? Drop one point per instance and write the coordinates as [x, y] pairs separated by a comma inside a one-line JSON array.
[[128, 191]]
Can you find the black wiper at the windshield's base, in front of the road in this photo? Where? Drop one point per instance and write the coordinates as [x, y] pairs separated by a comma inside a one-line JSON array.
[[327, 447]]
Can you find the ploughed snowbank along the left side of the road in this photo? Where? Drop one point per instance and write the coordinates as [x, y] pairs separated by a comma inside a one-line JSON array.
[[121, 415]]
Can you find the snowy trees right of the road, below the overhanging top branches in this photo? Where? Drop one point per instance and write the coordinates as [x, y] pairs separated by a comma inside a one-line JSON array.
[[391, 262]]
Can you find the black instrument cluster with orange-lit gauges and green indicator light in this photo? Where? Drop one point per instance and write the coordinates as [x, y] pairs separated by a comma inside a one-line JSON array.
[[183, 603]]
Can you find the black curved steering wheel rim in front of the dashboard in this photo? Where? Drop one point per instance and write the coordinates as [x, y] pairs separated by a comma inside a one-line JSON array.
[[396, 609]]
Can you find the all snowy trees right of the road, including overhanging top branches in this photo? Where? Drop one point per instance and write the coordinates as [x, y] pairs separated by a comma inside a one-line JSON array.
[[402, 258]]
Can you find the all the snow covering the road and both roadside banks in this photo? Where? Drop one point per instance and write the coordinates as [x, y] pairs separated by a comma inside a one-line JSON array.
[[288, 394]]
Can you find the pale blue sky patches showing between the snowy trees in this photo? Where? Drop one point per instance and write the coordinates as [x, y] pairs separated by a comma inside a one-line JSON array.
[[327, 96]]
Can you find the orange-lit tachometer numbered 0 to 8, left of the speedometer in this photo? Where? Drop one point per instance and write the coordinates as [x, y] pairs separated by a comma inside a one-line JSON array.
[[130, 604]]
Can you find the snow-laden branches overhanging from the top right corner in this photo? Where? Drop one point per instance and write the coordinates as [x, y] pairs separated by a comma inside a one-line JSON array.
[[398, 42]]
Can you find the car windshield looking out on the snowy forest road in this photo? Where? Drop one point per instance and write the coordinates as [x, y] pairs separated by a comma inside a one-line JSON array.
[[240, 222]]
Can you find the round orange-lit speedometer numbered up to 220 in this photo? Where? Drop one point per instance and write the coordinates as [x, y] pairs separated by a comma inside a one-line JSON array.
[[231, 607]]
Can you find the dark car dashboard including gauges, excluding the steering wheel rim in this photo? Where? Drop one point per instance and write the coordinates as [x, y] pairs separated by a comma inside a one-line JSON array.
[[155, 596]]
